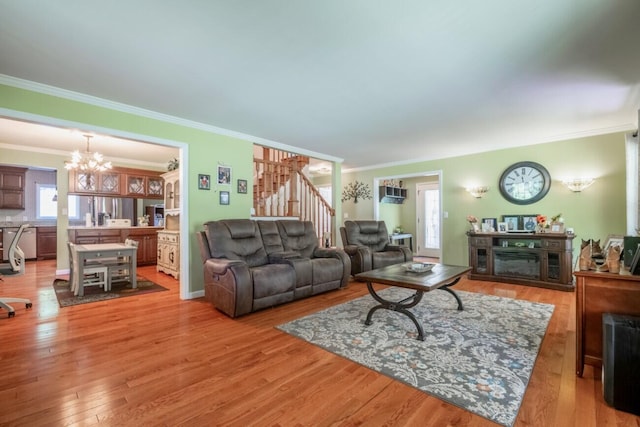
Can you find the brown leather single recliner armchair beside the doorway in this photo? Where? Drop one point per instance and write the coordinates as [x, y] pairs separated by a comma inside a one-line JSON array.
[[367, 244]]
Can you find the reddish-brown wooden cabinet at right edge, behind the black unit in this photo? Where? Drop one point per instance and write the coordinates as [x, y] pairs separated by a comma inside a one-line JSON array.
[[599, 293]]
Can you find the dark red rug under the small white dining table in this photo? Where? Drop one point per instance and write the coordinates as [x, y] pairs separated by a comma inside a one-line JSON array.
[[96, 293]]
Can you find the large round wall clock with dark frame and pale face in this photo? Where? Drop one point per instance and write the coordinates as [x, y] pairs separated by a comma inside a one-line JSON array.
[[525, 182]]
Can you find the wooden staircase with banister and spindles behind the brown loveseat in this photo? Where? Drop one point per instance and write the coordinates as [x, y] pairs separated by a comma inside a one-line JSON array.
[[281, 189]]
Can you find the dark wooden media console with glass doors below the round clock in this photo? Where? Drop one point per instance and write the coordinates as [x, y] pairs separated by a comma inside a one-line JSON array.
[[540, 259]]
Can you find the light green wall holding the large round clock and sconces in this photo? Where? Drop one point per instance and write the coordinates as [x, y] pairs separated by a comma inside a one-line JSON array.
[[596, 212]]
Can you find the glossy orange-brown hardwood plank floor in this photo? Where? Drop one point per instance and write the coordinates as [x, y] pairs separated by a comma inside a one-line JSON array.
[[157, 360]]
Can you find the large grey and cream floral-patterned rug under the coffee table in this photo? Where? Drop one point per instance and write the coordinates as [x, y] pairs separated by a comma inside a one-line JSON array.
[[479, 359]]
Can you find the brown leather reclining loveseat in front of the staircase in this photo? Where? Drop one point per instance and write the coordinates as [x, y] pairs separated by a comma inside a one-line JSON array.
[[250, 265]]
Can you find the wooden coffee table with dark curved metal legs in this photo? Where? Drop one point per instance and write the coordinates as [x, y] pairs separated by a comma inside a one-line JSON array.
[[442, 276]]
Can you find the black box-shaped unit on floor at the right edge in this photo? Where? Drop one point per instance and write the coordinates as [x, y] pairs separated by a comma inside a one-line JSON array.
[[621, 361]]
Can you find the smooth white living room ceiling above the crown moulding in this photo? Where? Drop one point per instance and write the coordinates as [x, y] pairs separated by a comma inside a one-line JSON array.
[[372, 82]]
